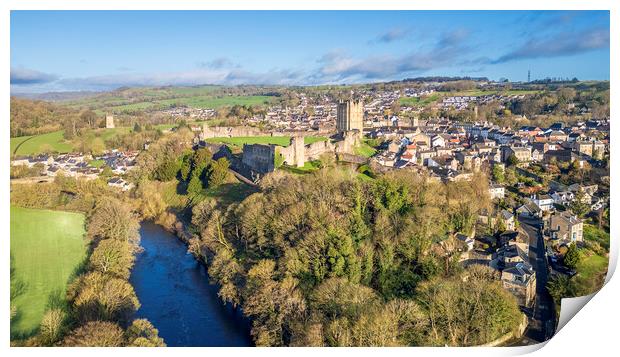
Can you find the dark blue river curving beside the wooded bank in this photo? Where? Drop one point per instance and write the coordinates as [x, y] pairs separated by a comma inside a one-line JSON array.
[[175, 294]]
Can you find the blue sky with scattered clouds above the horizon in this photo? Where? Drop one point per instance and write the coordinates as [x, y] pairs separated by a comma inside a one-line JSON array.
[[103, 50]]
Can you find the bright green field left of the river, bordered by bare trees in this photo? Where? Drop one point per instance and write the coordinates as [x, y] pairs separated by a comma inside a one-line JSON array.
[[46, 249]]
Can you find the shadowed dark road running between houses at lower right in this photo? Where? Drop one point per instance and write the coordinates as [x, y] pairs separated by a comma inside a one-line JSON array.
[[542, 319]]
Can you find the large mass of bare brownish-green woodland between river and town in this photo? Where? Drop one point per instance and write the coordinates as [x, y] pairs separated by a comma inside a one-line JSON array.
[[329, 260]]
